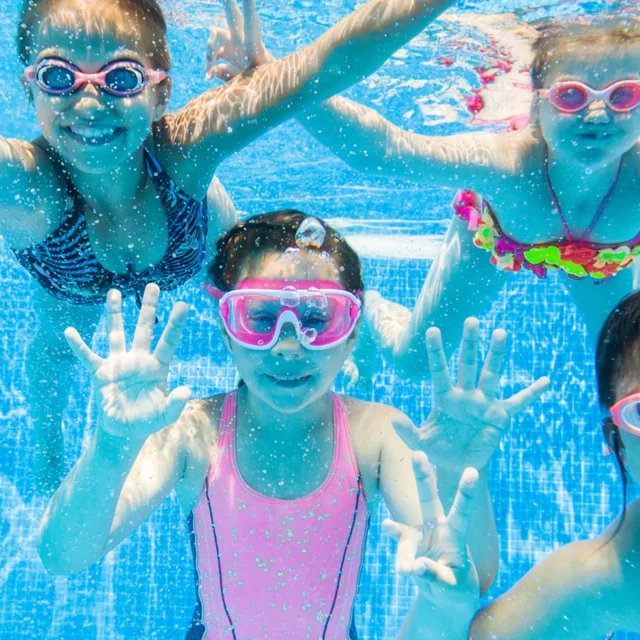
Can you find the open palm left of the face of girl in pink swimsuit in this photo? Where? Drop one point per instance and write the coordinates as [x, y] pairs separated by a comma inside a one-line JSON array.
[[130, 387]]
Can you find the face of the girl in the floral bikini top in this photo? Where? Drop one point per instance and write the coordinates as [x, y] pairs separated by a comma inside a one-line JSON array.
[[596, 135]]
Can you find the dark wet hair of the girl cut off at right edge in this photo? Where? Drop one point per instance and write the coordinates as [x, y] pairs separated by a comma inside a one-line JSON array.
[[617, 357]]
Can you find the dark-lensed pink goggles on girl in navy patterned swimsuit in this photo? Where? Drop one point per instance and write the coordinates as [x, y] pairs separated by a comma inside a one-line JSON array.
[[121, 78]]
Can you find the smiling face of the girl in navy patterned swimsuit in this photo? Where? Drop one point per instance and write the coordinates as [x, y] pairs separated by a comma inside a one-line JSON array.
[[91, 129]]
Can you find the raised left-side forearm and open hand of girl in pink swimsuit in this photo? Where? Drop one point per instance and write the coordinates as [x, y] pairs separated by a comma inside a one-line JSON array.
[[135, 457]]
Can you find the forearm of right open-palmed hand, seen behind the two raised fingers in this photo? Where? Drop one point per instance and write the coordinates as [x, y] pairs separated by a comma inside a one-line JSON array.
[[483, 538]]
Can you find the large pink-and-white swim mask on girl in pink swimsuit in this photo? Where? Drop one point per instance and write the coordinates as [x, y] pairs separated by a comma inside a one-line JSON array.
[[255, 313]]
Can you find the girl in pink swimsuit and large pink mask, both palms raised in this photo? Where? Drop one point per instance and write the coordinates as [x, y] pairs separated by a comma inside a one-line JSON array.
[[277, 478]]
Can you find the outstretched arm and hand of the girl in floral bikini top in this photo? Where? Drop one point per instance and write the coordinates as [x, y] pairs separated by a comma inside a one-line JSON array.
[[363, 138]]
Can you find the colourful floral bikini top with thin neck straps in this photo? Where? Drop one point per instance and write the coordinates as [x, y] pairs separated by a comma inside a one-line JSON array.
[[576, 257]]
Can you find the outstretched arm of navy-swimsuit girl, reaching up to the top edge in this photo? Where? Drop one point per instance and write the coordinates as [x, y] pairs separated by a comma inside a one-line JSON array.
[[225, 119]]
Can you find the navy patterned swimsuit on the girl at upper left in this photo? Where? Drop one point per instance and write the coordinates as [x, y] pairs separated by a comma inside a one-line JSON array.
[[65, 265]]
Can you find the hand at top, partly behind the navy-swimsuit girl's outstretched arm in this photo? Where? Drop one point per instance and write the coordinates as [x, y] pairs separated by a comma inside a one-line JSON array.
[[230, 52]]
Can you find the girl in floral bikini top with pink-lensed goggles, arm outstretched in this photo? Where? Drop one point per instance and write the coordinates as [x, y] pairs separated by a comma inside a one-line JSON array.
[[574, 170]]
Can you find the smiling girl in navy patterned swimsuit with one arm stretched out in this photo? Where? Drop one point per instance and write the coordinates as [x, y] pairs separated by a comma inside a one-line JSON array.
[[114, 192]]
